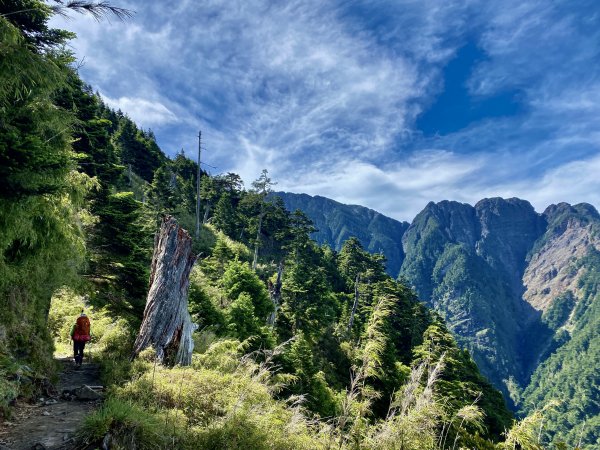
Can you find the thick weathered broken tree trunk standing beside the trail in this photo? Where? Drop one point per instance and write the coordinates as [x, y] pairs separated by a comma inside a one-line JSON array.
[[167, 324]]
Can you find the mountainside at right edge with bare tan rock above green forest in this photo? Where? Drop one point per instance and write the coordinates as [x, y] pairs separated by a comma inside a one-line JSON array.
[[562, 281]]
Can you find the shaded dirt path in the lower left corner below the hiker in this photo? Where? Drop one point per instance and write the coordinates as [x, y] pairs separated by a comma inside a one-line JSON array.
[[51, 424]]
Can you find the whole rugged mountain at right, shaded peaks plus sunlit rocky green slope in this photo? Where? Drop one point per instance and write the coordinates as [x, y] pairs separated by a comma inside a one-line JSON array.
[[517, 289]]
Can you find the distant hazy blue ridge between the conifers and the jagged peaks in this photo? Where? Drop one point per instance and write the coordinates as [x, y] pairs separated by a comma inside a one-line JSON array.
[[336, 223]]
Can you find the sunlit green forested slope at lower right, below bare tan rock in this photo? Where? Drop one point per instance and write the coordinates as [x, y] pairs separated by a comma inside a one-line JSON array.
[[570, 374]]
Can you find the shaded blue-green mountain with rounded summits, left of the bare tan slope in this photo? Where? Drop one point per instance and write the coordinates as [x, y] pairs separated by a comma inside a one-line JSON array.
[[468, 263]]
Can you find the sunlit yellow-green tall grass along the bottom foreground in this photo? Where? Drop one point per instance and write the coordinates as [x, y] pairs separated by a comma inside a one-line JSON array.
[[228, 399]]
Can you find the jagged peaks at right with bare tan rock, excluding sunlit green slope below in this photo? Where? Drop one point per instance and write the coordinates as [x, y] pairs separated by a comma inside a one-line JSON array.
[[492, 271]]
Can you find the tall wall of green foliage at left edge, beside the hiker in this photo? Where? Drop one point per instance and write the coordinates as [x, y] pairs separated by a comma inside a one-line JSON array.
[[41, 197]]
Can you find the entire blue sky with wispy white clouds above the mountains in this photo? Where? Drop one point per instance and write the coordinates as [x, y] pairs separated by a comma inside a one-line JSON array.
[[387, 104]]
